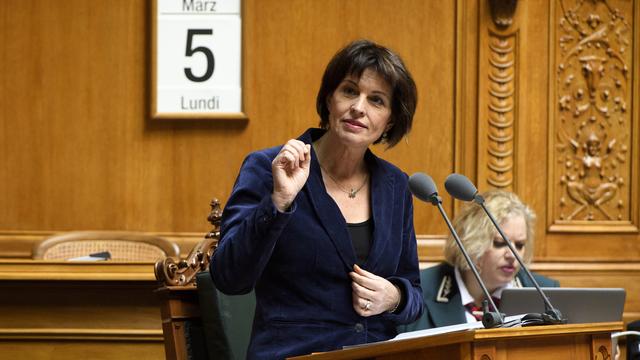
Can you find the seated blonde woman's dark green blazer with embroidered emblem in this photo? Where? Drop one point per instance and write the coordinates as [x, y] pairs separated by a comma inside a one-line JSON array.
[[442, 301]]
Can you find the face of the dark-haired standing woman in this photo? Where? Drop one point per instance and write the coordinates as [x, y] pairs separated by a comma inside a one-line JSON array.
[[360, 109]]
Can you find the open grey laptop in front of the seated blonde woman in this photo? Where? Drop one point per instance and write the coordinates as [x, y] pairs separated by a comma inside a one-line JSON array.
[[577, 305]]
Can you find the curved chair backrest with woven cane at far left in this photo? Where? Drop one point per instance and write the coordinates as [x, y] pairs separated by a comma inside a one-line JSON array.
[[122, 245]]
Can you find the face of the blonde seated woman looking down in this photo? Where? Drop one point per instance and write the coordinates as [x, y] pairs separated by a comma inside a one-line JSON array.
[[498, 266]]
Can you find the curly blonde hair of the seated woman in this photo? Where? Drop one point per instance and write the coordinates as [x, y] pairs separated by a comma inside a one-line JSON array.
[[477, 232]]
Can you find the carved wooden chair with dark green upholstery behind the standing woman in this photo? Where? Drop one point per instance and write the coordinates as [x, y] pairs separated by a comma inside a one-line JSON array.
[[198, 321]]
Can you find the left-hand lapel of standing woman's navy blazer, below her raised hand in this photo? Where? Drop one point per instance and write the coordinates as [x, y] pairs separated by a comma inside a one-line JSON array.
[[329, 214]]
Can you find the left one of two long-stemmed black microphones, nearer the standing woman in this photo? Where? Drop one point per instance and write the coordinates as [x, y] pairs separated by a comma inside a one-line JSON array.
[[422, 186]]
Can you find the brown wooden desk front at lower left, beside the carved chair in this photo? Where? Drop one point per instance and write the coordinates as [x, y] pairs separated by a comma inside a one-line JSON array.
[[68, 310]]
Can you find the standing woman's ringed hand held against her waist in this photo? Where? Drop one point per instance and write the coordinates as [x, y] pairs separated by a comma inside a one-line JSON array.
[[372, 294]]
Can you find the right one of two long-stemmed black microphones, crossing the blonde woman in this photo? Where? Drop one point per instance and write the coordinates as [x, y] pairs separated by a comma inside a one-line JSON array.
[[459, 187]]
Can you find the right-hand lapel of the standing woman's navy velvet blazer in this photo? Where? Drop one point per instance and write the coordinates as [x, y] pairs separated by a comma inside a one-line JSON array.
[[382, 201]]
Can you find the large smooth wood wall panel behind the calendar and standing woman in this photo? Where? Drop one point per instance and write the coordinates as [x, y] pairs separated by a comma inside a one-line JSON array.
[[79, 152]]
